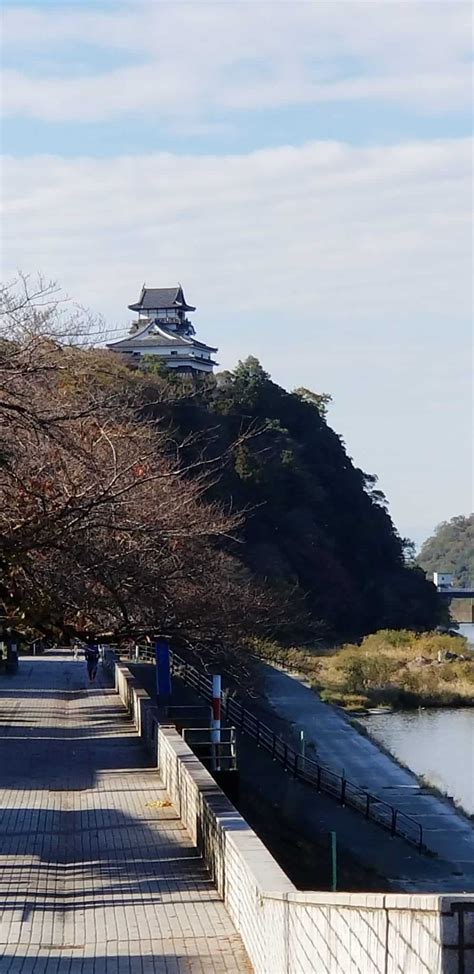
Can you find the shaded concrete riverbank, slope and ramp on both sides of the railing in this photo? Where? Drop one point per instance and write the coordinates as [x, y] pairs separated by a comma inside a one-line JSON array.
[[295, 820]]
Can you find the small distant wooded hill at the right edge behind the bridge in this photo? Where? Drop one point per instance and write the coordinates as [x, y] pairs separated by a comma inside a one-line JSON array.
[[451, 549]]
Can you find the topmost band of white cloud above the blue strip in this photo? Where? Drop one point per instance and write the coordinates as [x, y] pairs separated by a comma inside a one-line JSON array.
[[198, 58]]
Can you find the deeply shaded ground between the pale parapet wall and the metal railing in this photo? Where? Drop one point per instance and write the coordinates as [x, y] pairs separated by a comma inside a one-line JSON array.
[[279, 806]]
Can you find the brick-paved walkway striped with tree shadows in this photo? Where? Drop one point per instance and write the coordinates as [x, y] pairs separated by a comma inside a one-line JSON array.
[[95, 876]]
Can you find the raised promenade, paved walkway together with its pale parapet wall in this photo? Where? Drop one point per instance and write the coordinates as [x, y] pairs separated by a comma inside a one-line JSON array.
[[120, 854]]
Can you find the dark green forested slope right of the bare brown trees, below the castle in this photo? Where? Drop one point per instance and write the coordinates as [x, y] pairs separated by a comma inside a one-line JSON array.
[[317, 526]]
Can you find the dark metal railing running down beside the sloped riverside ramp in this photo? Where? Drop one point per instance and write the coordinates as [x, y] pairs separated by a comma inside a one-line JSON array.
[[346, 792]]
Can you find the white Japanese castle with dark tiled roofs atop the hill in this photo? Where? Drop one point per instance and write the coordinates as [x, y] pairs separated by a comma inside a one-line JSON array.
[[164, 331]]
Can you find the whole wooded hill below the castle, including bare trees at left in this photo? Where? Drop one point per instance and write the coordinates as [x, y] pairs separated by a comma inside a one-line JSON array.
[[115, 525]]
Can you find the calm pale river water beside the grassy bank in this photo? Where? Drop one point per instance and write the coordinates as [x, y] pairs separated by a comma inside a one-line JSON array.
[[436, 743]]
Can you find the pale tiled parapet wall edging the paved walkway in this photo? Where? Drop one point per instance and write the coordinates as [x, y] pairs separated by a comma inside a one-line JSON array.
[[285, 931]]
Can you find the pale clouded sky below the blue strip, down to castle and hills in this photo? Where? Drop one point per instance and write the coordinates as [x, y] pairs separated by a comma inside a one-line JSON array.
[[344, 269]]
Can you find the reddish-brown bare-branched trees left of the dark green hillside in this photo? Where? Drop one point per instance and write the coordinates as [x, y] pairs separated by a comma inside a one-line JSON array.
[[103, 528]]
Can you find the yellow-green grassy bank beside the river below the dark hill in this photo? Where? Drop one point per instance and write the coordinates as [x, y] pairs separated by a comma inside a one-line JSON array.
[[393, 669]]
